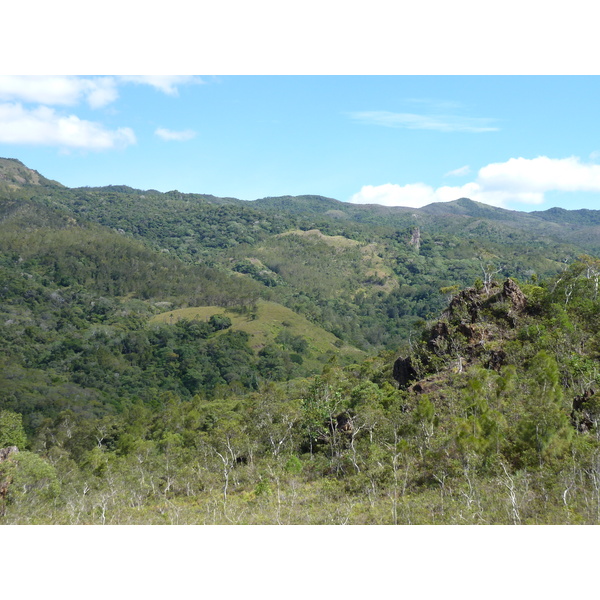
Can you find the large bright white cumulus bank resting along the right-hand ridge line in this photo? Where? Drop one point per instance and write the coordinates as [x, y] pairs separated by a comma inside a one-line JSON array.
[[518, 180]]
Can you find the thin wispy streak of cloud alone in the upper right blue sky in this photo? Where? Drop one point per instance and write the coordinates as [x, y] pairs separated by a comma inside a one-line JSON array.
[[446, 123]]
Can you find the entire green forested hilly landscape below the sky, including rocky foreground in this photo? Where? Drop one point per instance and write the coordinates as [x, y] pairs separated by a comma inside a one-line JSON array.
[[186, 359]]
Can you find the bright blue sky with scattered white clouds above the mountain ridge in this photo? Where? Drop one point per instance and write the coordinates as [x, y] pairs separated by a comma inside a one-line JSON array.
[[519, 142]]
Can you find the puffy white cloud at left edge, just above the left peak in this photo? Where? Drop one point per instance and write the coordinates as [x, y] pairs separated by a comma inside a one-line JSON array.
[[43, 126]]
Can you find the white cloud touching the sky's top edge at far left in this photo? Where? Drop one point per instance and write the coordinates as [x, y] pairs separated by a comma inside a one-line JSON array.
[[58, 90]]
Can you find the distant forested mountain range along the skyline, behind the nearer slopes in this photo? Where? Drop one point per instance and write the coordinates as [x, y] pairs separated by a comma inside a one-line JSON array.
[[366, 274]]
